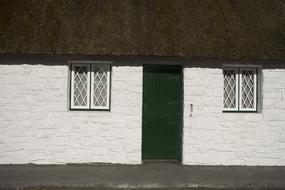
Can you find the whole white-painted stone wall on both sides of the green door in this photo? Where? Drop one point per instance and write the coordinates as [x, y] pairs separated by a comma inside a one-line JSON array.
[[36, 125]]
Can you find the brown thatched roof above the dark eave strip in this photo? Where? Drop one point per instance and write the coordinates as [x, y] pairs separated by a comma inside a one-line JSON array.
[[185, 28]]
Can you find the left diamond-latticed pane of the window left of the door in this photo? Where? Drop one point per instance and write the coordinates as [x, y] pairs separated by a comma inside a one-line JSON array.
[[80, 85]]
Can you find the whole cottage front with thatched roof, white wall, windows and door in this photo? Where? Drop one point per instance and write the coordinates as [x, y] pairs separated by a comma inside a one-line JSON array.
[[98, 95]]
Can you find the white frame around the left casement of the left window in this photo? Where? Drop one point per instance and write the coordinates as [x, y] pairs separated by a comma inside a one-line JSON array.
[[72, 87]]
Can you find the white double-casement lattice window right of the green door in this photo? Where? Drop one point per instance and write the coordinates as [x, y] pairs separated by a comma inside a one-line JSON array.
[[240, 89]]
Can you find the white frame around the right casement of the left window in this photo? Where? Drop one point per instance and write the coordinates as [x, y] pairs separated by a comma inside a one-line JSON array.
[[108, 86]]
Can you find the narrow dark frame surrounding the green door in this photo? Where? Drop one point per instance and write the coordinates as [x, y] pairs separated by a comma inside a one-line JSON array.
[[180, 161]]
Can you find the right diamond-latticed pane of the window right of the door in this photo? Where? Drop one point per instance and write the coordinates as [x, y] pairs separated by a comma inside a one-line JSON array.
[[247, 89]]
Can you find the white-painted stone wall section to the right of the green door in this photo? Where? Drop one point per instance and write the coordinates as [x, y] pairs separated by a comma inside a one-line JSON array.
[[212, 137]]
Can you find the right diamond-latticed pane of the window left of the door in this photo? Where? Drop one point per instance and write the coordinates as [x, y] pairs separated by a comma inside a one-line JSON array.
[[100, 86]]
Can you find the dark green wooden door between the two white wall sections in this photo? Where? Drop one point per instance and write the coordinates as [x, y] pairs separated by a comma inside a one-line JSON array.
[[162, 113]]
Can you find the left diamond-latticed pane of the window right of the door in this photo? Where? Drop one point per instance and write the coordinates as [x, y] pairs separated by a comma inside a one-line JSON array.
[[229, 89]]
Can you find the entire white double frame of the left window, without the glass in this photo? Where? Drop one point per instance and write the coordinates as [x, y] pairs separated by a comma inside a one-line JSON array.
[[91, 66]]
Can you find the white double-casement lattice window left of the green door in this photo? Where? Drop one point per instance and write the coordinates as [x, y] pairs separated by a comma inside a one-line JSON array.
[[90, 86]]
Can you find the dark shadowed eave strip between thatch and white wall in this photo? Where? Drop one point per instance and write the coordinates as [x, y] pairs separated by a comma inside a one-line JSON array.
[[15, 59]]
